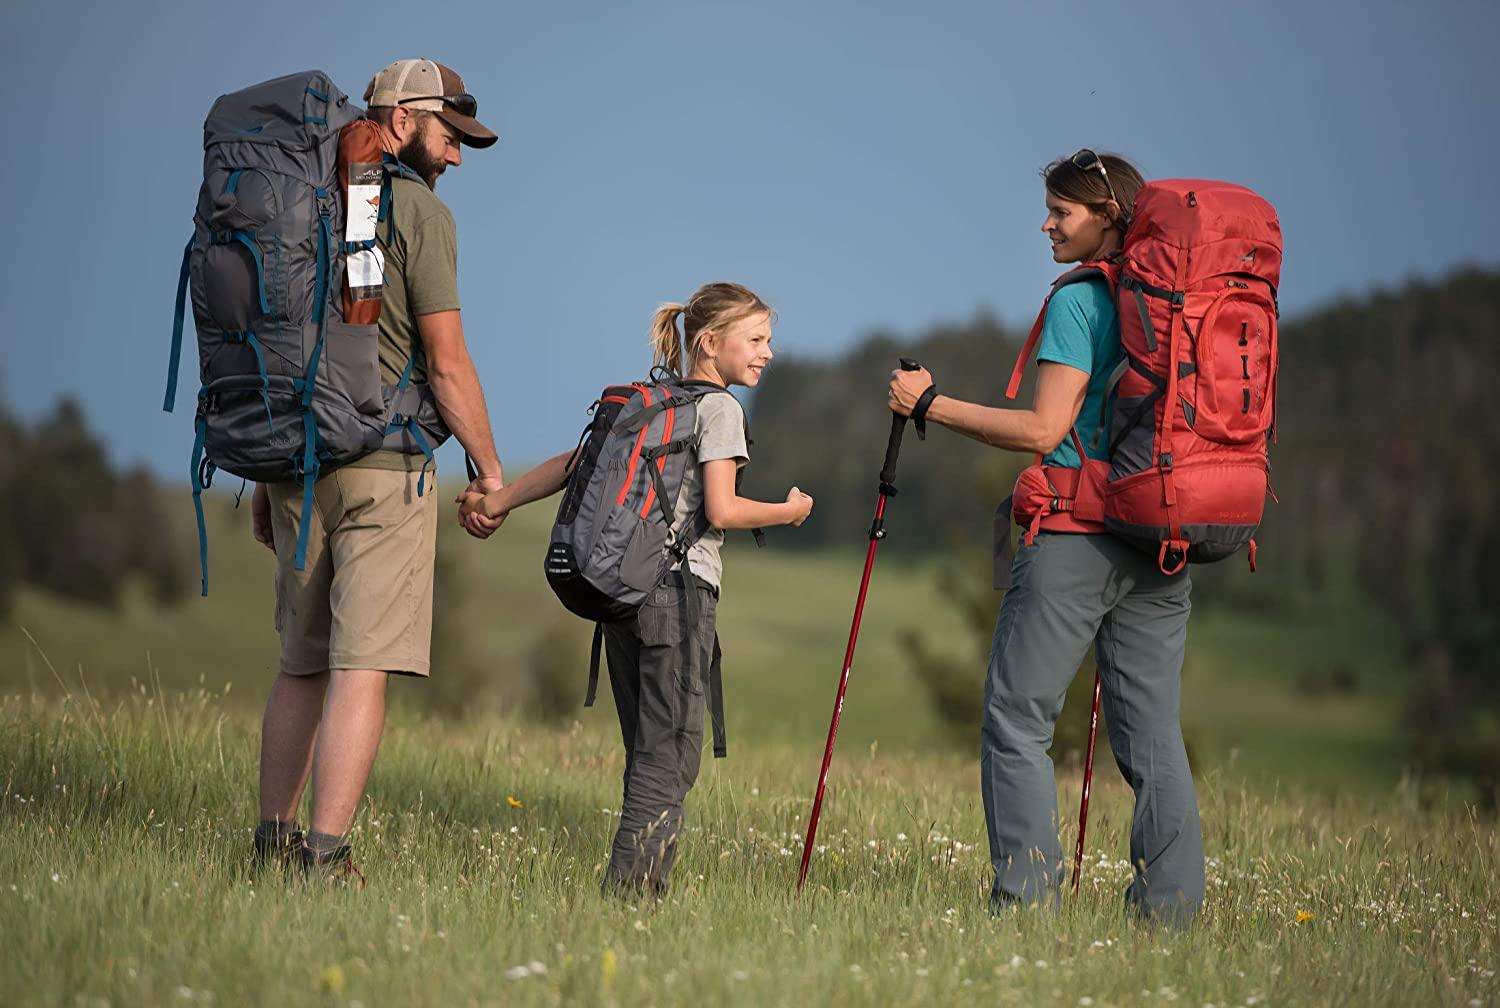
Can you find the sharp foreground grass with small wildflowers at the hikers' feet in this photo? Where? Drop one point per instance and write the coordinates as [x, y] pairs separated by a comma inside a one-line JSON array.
[[125, 824]]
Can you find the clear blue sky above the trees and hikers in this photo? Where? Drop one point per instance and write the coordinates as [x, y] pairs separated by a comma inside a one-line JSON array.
[[863, 166]]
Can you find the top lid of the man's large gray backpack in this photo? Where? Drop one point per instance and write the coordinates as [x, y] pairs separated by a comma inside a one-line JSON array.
[[295, 112]]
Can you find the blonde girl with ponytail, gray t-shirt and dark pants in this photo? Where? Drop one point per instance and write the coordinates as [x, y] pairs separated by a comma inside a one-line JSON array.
[[655, 659]]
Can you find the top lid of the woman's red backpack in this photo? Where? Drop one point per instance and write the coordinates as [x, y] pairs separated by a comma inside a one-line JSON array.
[[1190, 214]]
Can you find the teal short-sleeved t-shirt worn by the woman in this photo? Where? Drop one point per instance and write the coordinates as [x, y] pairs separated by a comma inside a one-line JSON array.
[[1082, 331]]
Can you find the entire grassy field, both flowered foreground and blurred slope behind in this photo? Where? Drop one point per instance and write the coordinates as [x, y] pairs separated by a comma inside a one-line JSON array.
[[128, 745]]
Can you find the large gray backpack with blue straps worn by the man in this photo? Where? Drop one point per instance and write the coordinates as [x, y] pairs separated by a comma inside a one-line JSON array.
[[289, 389]]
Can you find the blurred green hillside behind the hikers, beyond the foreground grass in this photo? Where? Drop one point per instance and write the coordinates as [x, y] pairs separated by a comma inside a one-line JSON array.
[[1307, 700]]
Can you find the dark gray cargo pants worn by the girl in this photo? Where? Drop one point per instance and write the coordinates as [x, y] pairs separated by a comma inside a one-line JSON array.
[[658, 670]]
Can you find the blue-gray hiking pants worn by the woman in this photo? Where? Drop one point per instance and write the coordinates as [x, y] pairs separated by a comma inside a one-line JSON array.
[[1066, 592]]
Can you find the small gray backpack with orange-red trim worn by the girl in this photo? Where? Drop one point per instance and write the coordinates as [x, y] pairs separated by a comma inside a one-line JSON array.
[[616, 538]]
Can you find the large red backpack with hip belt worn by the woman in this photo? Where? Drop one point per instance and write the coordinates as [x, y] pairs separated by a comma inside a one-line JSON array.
[[1187, 475]]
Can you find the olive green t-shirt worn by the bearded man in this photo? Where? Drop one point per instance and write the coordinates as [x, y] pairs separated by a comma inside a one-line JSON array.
[[422, 277]]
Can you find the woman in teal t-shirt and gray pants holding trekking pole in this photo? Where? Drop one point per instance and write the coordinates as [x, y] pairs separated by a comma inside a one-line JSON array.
[[1075, 587]]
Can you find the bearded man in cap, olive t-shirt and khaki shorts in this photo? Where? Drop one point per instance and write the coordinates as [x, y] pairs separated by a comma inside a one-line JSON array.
[[362, 607]]
